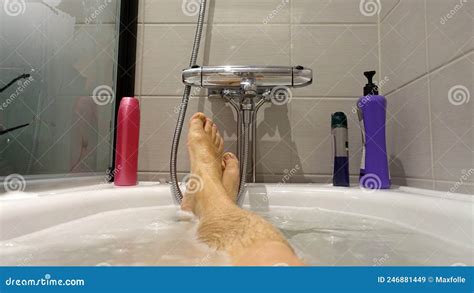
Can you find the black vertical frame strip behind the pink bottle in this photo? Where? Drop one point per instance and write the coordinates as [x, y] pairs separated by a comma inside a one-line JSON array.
[[125, 84]]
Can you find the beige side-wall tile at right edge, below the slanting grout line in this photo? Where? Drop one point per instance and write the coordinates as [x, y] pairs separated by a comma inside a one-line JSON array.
[[452, 119]]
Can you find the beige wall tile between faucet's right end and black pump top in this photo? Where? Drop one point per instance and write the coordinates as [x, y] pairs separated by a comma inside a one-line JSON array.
[[338, 56]]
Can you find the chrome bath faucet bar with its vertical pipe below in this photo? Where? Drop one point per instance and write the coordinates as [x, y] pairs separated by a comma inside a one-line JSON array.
[[246, 88]]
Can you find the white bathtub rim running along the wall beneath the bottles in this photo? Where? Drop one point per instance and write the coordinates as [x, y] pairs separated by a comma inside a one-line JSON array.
[[46, 209]]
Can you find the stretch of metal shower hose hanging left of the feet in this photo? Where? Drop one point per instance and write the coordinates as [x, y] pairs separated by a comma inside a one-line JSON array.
[[184, 106]]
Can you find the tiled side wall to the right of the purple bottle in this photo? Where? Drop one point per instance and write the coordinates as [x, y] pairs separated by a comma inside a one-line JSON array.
[[427, 55]]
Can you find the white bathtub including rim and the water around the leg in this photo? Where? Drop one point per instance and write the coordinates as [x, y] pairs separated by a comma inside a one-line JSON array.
[[327, 226]]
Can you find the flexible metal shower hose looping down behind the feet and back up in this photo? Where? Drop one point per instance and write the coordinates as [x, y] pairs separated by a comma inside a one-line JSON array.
[[175, 189]]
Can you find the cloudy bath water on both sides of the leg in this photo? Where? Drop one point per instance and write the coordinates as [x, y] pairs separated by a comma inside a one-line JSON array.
[[164, 236]]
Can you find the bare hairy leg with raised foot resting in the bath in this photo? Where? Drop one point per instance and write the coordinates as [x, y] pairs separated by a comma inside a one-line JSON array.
[[248, 238]]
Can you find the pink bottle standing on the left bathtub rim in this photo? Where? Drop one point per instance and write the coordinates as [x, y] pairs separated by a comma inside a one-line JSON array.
[[128, 131]]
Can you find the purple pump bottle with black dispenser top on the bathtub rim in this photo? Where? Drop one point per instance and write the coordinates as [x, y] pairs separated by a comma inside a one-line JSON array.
[[374, 171]]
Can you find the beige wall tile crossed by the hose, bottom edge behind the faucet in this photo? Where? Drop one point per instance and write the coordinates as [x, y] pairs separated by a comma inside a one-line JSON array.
[[166, 51]]
